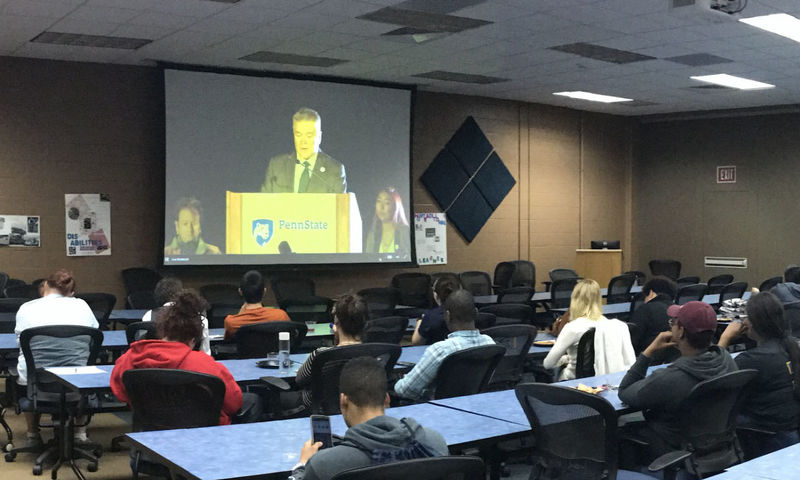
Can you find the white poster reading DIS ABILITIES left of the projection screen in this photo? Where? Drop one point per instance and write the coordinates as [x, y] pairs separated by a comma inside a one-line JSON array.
[[88, 224]]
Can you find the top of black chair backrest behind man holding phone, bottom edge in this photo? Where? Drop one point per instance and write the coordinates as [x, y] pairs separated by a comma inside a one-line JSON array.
[[434, 468]]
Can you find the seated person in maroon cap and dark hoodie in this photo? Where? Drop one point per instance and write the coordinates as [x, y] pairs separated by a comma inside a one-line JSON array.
[[691, 328]]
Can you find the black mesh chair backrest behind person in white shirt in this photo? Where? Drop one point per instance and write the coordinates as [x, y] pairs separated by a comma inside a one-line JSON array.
[[56, 346]]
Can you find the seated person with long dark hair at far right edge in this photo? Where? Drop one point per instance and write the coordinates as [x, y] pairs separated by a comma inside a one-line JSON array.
[[772, 400]]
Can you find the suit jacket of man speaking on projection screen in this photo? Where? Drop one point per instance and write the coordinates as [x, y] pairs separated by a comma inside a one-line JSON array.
[[328, 176]]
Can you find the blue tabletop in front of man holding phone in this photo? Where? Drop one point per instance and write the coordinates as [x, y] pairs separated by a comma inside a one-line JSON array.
[[273, 447]]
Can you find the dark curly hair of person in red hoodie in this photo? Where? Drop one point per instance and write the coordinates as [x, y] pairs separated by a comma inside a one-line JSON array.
[[182, 321]]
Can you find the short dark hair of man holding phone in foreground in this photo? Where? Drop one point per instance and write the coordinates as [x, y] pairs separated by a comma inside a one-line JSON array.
[[363, 380]]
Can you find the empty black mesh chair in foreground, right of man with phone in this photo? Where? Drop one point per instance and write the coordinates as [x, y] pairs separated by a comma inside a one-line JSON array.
[[576, 433]]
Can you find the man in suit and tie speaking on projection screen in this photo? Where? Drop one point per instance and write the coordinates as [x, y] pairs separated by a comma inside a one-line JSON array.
[[308, 169]]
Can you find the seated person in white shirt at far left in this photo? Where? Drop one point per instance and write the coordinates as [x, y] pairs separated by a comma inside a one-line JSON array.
[[58, 306]]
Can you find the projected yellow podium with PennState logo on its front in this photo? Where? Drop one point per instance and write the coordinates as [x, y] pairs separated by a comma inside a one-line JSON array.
[[258, 223]]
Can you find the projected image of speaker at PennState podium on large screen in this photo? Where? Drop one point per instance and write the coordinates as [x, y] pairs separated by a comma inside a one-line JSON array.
[[263, 170]]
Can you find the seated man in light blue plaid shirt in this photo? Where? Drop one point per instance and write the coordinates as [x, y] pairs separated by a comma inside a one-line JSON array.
[[459, 315]]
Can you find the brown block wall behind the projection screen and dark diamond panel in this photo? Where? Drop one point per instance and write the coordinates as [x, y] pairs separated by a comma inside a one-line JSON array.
[[86, 128]]
